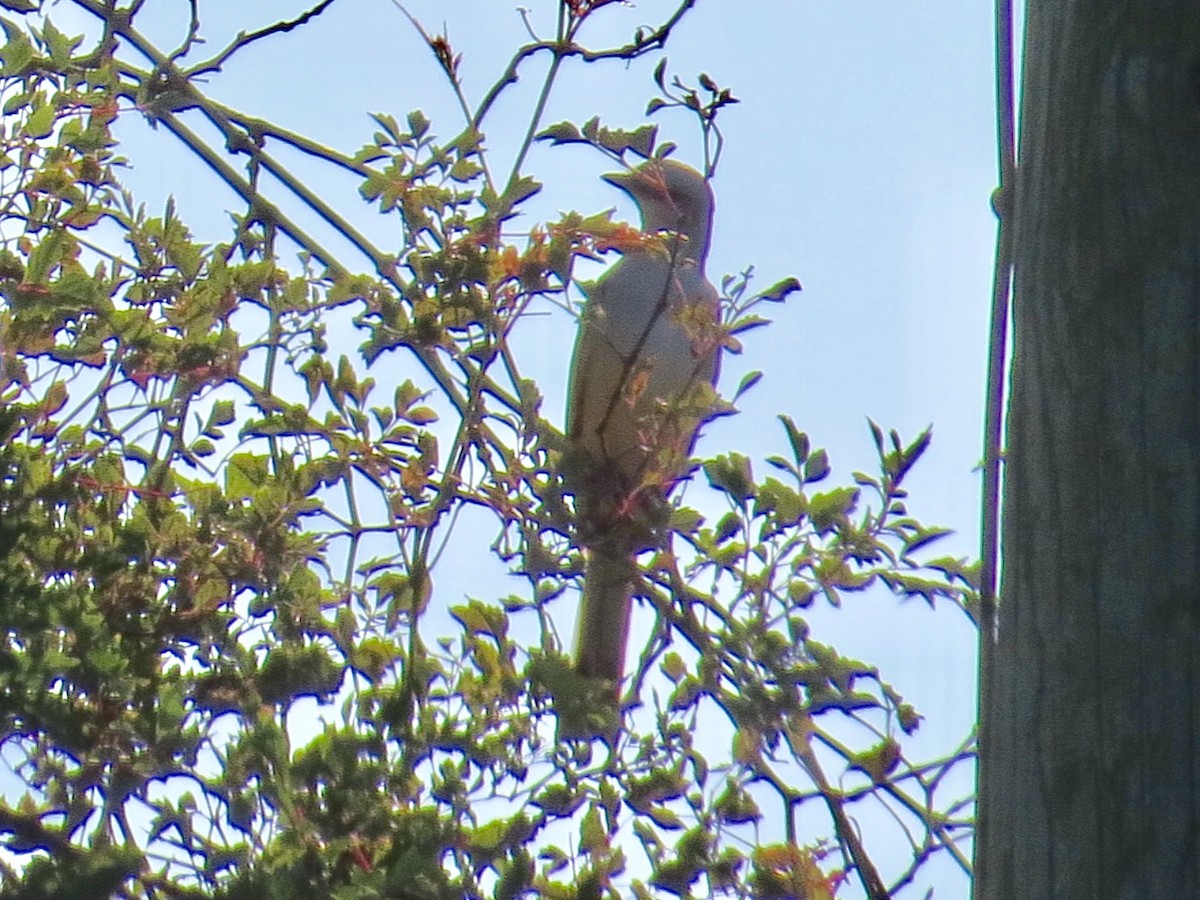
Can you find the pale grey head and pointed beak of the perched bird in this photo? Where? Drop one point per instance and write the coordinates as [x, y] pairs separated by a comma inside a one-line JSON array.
[[673, 197]]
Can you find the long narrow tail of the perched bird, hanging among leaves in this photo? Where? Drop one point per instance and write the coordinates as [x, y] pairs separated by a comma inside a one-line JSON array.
[[604, 615]]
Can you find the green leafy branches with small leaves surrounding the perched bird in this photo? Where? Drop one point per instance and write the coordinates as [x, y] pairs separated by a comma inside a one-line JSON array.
[[215, 521]]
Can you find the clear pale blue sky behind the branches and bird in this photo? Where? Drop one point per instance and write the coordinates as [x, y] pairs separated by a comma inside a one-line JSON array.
[[861, 160]]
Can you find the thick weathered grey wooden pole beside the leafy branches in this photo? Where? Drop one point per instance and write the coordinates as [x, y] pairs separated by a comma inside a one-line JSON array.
[[1090, 771]]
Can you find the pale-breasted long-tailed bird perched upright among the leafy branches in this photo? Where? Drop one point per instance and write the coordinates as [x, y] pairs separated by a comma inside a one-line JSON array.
[[643, 381]]
